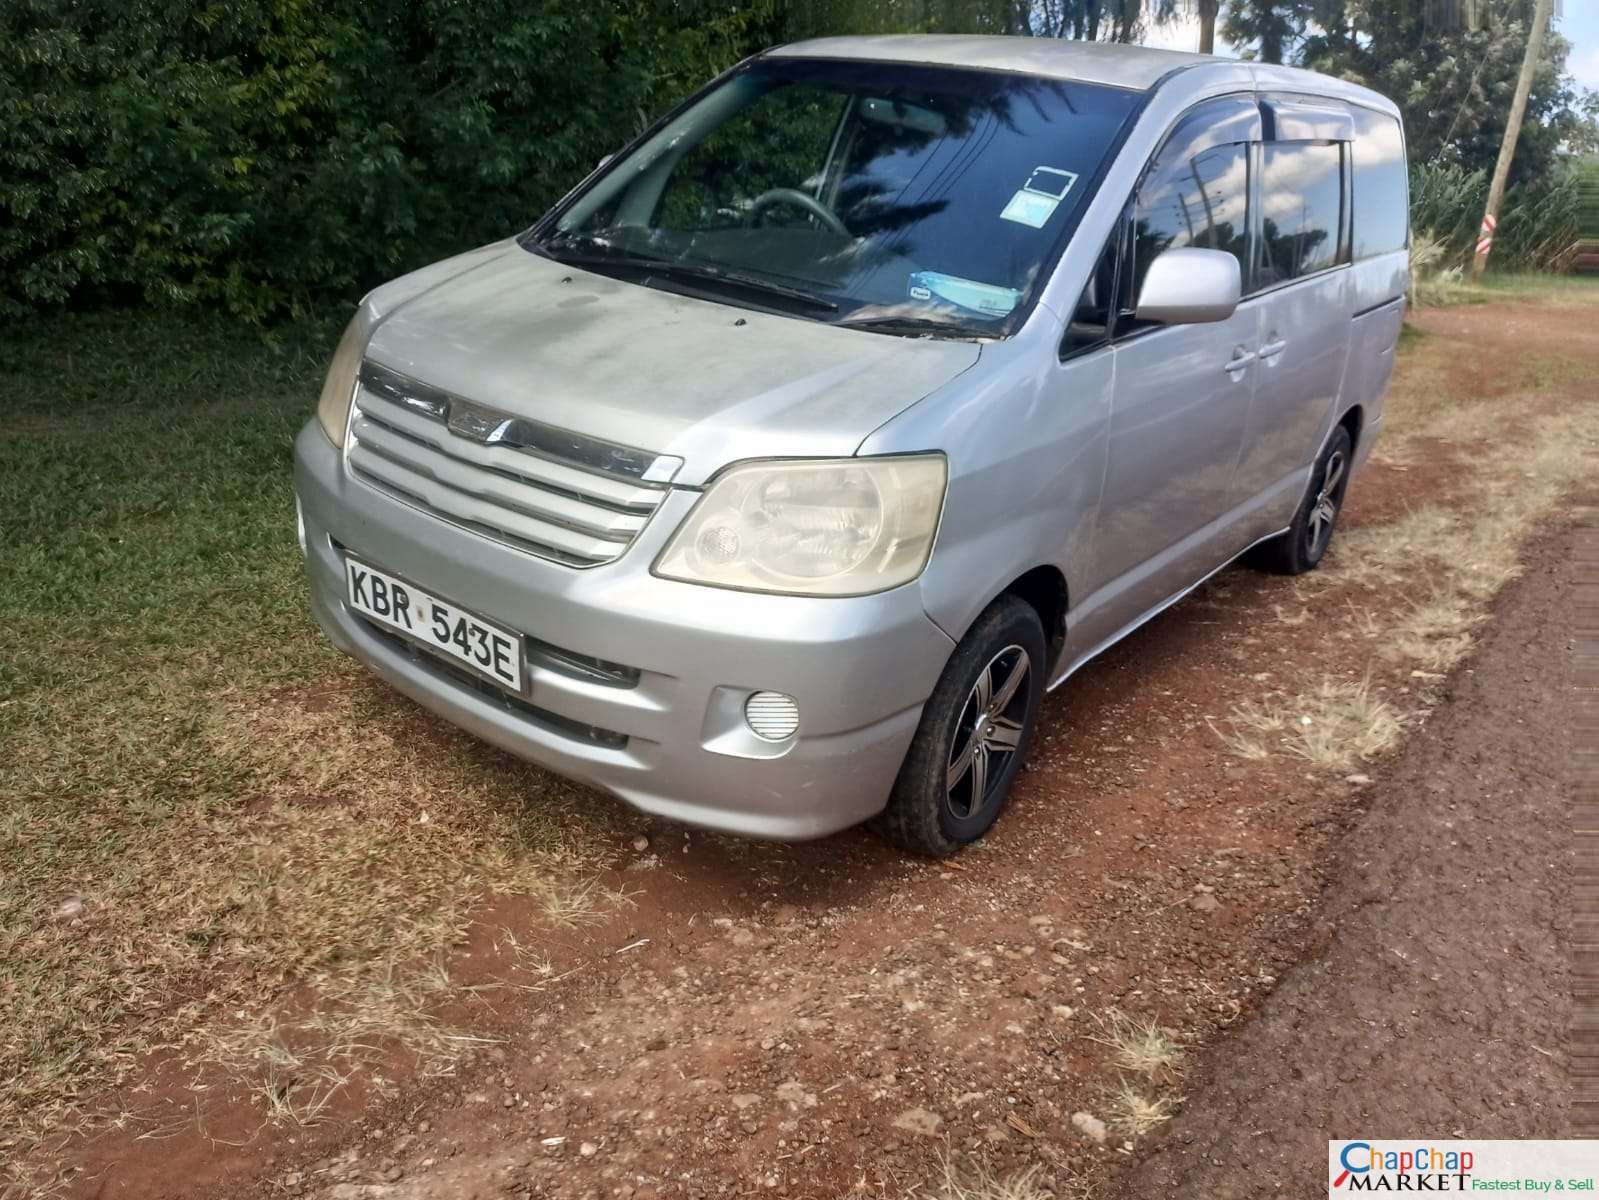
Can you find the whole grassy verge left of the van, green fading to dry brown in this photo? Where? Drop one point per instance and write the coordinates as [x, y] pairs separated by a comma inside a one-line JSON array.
[[234, 804]]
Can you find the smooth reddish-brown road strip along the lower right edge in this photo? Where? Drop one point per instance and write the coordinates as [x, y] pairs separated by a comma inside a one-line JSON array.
[[1437, 996]]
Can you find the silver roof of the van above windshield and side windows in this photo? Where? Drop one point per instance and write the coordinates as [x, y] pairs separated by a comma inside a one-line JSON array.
[[1111, 63]]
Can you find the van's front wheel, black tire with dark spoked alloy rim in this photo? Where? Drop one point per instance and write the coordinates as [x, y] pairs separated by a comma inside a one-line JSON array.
[[927, 812]]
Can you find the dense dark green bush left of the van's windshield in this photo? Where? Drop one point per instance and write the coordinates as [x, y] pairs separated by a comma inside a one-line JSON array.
[[265, 154]]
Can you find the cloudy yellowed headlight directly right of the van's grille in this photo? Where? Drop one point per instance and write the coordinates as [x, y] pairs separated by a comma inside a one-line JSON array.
[[816, 527]]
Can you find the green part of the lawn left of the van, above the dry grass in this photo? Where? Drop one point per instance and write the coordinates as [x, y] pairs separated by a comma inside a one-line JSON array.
[[146, 502]]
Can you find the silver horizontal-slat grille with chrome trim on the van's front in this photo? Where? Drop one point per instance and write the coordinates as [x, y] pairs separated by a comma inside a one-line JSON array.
[[544, 490]]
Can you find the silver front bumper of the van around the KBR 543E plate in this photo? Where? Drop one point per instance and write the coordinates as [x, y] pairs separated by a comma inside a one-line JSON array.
[[666, 730]]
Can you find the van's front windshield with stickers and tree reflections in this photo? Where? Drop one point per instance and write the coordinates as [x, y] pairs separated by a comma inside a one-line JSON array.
[[907, 198]]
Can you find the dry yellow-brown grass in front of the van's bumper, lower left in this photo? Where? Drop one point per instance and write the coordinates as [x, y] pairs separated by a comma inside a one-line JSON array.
[[221, 860]]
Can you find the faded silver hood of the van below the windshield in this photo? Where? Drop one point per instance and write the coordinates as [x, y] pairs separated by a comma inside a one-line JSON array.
[[674, 375]]
